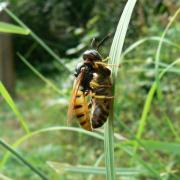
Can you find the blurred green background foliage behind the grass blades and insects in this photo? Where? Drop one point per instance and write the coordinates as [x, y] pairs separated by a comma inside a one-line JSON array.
[[68, 27]]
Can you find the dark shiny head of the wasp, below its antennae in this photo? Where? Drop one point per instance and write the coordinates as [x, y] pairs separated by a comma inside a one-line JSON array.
[[91, 55]]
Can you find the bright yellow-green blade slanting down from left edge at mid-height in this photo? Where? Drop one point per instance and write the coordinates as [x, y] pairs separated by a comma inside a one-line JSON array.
[[12, 105]]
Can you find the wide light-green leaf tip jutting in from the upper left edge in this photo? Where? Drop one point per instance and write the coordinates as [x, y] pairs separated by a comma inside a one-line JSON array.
[[11, 28]]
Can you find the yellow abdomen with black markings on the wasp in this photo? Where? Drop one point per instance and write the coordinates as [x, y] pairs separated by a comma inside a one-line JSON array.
[[82, 111]]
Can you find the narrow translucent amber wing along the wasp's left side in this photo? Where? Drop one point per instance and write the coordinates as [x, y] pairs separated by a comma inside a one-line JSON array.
[[76, 86]]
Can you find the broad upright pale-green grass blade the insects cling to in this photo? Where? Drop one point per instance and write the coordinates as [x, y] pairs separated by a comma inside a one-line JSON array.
[[115, 53]]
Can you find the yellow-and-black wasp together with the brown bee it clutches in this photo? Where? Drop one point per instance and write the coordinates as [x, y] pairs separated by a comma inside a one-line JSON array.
[[92, 81]]
